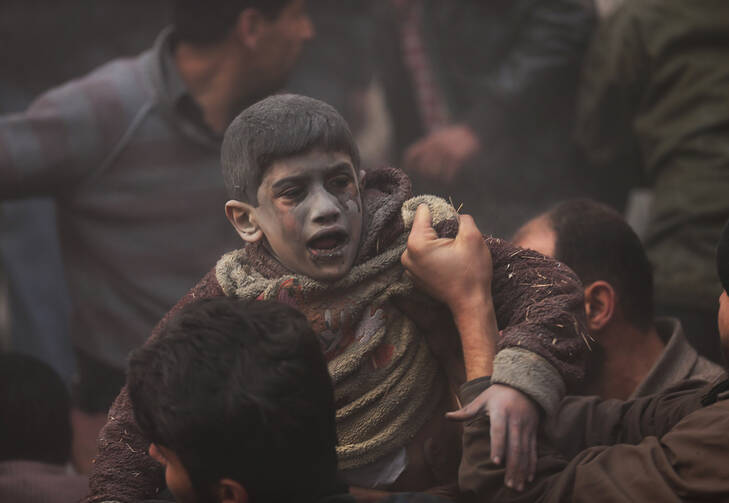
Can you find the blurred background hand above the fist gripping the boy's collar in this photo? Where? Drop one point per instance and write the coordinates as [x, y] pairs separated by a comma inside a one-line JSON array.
[[441, 154]]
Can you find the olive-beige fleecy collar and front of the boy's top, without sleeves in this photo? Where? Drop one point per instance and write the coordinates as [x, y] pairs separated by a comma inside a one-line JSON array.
[[383, 372]]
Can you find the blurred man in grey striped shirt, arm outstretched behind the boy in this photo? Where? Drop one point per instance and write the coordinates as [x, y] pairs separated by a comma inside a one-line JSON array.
[[130, 154]]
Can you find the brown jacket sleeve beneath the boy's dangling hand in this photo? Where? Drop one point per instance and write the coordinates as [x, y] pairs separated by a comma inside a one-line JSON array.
[[681, 458]]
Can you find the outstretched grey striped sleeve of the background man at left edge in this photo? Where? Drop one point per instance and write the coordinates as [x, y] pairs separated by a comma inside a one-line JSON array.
[[52, 146]]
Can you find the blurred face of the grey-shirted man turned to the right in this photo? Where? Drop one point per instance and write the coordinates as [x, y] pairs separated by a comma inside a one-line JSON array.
[[282, 43]]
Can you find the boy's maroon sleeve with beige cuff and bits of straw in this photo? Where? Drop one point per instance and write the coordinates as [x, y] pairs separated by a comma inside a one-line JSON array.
[[540, 314]]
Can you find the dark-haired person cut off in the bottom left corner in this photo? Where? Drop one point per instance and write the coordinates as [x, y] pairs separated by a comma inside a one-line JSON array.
[[35, 434]]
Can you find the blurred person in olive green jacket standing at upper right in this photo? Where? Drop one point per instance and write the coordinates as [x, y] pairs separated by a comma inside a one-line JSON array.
[[653, 108]]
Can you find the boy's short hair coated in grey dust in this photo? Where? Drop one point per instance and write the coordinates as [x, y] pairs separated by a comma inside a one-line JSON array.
[[276, 127]]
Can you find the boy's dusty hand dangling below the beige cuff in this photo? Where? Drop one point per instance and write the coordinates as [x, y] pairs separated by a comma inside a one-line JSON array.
[[514, 418]]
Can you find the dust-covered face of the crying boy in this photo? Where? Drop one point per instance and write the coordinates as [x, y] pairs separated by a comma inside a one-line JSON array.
[[310, 210]]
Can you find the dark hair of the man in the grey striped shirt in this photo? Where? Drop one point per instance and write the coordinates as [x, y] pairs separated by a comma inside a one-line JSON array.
[[205, 23]]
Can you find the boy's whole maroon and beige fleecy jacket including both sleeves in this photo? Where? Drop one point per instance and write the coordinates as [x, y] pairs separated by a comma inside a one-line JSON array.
[[392, 351]]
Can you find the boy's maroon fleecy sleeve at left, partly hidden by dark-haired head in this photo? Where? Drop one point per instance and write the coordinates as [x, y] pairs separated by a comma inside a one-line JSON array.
[[123, 471]]
